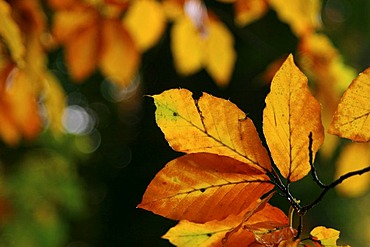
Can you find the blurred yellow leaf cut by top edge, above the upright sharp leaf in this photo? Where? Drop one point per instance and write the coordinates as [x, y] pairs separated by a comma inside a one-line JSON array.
[[303, 16]]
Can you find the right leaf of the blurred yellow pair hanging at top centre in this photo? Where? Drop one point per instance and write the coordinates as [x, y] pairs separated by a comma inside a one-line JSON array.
[[219, 53]]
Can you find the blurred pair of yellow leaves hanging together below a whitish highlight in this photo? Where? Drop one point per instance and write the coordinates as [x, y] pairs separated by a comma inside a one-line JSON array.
[[199, 41]]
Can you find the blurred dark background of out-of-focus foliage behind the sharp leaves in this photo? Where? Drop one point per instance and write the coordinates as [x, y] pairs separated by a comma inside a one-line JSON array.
[[74, 167]]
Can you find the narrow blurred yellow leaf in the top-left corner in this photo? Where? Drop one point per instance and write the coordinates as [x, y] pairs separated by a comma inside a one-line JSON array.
[[11, 34]]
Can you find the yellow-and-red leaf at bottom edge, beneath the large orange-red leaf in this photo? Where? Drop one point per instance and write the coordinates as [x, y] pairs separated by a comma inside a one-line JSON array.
[[217, 232]]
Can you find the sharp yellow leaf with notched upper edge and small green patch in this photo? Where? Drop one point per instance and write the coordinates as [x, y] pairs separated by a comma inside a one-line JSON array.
[[211, 125]]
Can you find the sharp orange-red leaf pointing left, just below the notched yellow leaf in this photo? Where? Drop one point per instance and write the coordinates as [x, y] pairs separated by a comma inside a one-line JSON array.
[[203, 187]]
